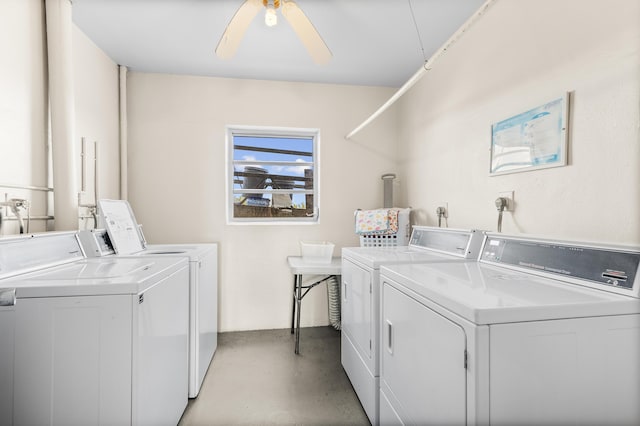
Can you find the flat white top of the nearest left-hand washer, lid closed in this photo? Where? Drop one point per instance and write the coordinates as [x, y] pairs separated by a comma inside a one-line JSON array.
[[96, 276]]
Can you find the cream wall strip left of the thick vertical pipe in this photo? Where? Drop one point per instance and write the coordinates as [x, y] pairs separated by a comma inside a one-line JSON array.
[[23, 107]]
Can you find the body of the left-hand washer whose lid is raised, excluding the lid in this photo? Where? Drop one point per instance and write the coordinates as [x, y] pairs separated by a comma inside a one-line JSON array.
[[203, 294]]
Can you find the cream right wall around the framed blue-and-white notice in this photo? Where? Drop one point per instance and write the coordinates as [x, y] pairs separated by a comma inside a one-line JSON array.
[[519, 55]]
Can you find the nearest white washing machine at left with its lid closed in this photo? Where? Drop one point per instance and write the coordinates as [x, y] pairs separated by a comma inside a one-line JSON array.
[[95, 341]]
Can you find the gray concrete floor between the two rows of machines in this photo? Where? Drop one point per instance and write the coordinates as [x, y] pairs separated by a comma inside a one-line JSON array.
[[256, 379]]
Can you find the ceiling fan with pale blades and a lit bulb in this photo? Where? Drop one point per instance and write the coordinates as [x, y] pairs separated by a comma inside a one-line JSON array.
[[305, 30]]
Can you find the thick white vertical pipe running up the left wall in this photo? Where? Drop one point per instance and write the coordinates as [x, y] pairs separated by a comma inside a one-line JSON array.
[[61, 101]]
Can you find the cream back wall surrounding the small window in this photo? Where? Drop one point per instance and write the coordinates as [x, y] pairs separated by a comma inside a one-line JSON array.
[[177, 179]]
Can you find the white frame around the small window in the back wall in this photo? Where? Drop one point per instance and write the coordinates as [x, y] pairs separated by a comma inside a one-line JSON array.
[[240, 130]]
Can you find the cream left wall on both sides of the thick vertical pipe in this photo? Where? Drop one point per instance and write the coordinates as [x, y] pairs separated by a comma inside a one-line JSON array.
[[24, 134]]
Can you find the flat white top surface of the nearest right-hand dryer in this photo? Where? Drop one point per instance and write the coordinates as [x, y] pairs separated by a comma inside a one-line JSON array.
[[485, 294]]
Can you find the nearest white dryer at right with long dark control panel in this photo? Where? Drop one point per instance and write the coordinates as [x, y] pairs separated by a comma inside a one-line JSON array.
[[537, 332]]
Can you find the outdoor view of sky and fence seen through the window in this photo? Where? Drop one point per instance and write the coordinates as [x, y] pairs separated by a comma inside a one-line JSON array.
[[273, 176]]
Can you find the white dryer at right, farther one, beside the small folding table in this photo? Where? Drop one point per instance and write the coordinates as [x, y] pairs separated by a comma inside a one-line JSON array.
[[360, 314]]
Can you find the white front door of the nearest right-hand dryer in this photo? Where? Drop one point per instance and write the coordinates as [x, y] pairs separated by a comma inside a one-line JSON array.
[[422, 363]]
